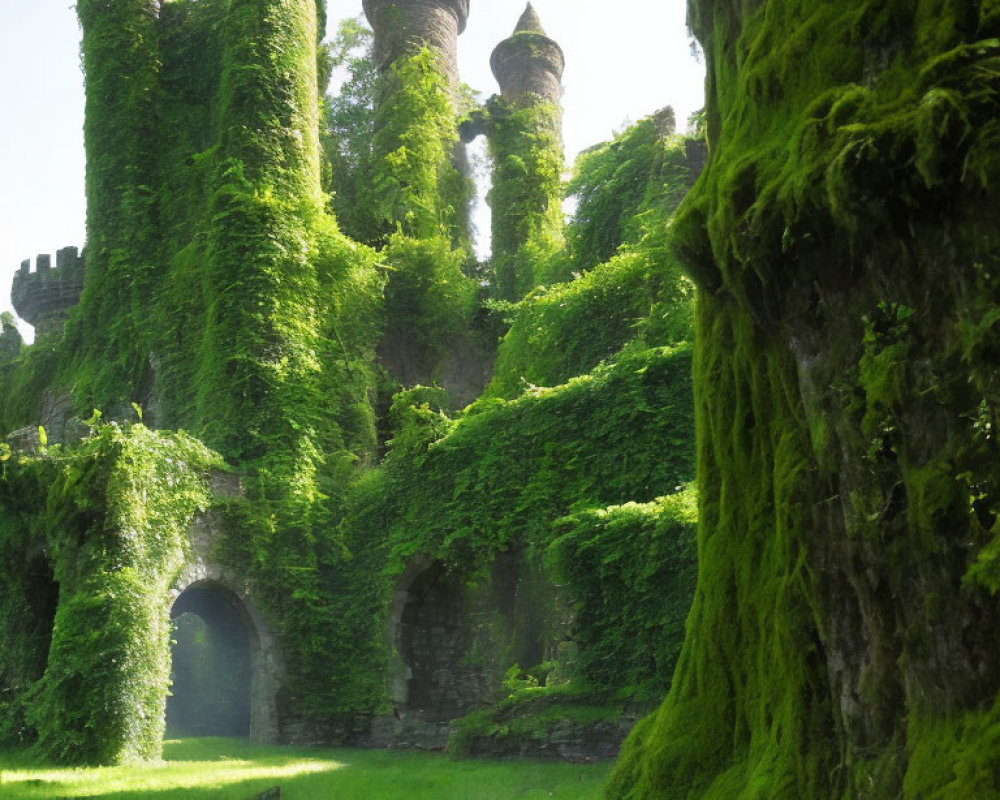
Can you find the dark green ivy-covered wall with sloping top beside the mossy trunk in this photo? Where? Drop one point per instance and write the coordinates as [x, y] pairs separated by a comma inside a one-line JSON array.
[[503, 477]]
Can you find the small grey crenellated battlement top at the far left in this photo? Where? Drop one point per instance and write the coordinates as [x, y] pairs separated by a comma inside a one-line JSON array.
[[43, 296]]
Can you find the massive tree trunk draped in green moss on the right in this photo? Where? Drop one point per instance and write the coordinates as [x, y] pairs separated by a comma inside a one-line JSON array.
[[843, 638]]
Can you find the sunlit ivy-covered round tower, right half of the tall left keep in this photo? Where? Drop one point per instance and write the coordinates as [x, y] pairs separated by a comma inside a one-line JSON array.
[[260, 267]]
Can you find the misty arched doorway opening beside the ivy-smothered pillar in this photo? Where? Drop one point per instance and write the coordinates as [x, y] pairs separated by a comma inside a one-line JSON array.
[[211, 657]]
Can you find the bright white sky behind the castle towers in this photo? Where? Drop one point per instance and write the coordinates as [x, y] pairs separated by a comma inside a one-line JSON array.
[[624, 60]]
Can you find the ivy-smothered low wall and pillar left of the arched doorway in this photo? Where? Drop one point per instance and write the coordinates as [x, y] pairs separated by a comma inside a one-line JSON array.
[[114, 532]]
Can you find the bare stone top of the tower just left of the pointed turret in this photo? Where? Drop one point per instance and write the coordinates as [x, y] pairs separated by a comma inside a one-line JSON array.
[[402, 27]]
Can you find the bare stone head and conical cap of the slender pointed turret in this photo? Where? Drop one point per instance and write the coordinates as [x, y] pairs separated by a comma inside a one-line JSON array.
[[529, 62]]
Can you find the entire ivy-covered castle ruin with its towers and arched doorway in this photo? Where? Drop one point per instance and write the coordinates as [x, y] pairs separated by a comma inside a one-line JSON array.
[[353, 596]]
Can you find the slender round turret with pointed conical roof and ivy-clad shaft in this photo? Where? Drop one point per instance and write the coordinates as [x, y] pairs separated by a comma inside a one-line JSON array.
[[525, 135]]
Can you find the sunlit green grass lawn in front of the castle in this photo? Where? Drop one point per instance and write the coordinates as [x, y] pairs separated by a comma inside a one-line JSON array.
[[230, 769]]
